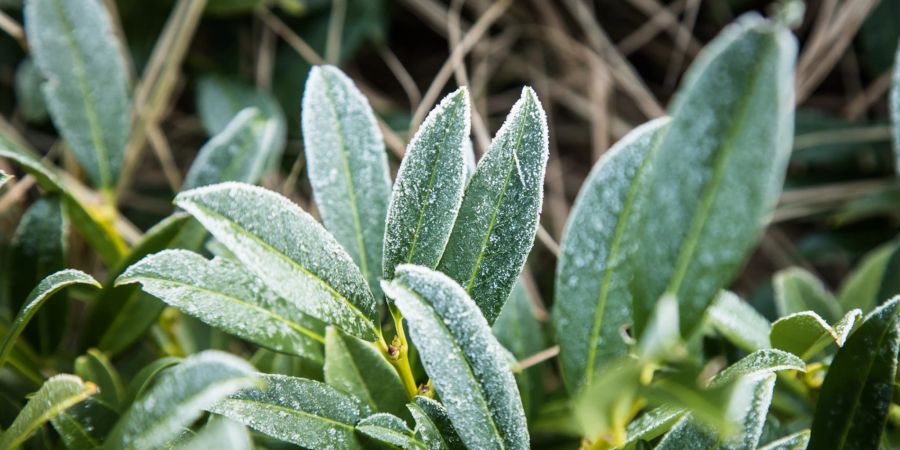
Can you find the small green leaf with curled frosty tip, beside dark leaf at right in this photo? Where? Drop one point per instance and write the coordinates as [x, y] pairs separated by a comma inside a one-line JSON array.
[[806, 333]]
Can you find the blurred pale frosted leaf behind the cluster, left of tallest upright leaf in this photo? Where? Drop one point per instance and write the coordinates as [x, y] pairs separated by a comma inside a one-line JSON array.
[[237, 153]]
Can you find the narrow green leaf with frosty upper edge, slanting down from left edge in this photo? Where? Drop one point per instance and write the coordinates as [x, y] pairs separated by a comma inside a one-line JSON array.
[[95, 227]]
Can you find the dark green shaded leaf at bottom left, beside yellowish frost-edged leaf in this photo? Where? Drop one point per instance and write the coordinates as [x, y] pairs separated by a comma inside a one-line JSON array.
[[83, 426]]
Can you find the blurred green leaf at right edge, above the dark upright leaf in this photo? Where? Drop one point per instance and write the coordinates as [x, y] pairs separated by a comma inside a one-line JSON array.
[[871, 282]]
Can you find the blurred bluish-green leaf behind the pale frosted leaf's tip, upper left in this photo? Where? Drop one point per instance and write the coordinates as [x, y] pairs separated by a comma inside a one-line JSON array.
[[219, 99]]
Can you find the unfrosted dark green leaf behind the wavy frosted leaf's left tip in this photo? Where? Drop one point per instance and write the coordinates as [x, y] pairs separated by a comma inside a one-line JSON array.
[[122, 314]]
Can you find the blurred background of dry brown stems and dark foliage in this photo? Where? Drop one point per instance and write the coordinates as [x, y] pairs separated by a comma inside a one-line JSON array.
[[599, 67]]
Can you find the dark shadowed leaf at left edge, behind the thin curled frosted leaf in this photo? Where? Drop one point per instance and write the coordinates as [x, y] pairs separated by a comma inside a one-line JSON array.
[[38, 248]]
